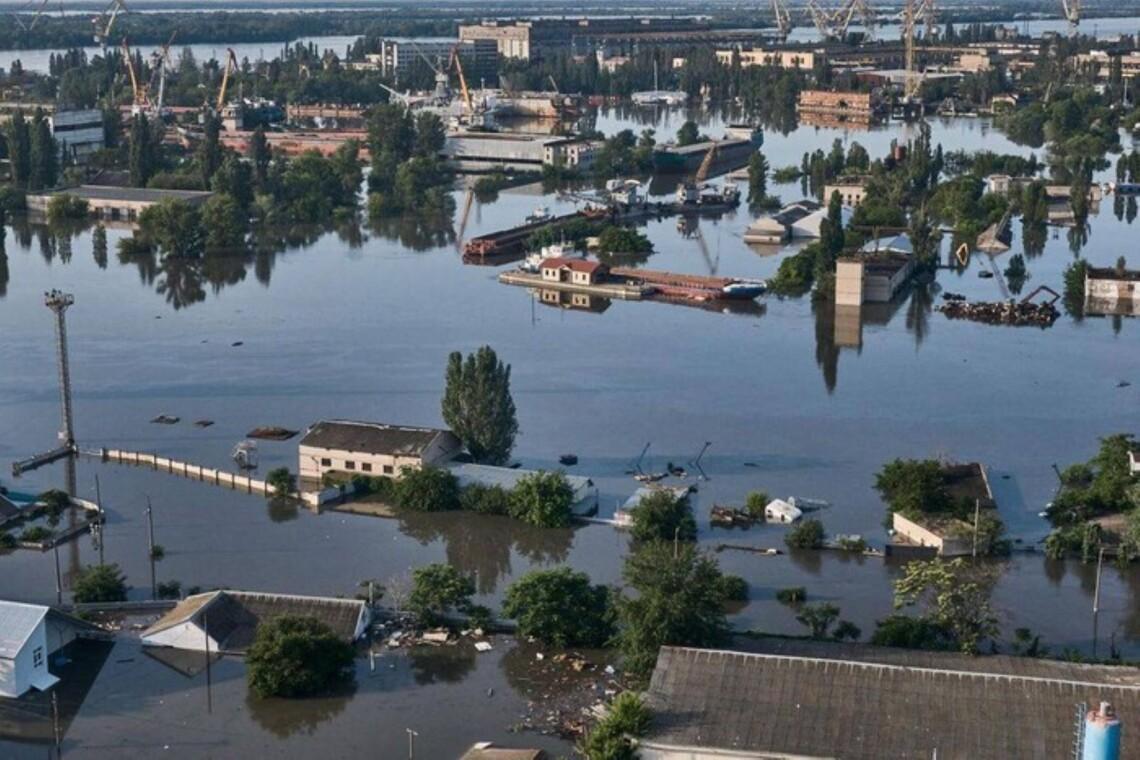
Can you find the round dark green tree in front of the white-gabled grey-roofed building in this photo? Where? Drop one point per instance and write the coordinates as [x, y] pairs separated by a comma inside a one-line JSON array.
[[298, 657]]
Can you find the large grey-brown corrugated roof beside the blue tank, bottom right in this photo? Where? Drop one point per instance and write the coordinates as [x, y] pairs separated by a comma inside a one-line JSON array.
[[860, 702]]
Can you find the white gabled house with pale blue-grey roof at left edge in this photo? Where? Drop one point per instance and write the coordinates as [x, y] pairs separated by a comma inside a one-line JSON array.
[[29, 635]]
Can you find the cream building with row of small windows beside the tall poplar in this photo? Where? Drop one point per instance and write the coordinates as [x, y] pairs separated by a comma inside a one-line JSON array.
[[372, 448]]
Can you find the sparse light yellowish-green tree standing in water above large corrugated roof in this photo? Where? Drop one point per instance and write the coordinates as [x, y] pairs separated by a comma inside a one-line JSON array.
[[955, 595]]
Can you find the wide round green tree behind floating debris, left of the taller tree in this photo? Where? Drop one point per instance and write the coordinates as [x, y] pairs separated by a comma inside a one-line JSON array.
[[560, 608]]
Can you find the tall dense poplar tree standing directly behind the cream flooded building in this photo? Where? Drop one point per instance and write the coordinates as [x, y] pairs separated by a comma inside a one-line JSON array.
[[478, 406]]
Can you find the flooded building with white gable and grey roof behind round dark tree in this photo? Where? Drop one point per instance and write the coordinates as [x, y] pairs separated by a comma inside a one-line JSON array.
[[227, 622]]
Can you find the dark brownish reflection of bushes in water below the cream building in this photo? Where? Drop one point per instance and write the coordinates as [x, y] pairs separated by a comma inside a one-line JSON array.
[[481, 545]]
